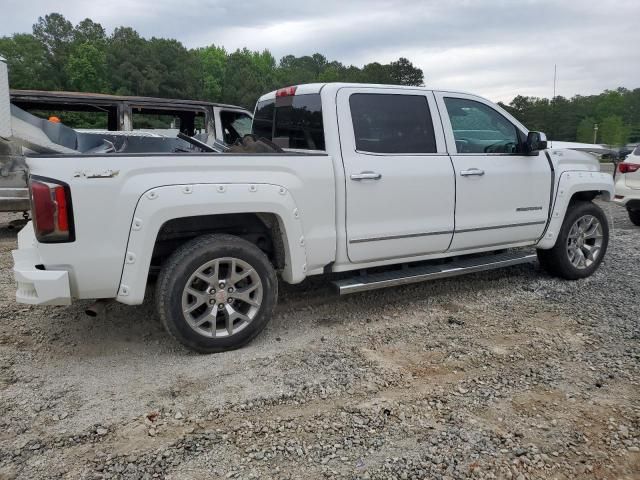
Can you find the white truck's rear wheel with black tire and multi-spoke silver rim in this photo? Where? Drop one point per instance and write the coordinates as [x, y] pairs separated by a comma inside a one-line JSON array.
[[189, 291]]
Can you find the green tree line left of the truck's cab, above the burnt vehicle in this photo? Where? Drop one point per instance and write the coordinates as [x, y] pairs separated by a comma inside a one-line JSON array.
[[60, 56]]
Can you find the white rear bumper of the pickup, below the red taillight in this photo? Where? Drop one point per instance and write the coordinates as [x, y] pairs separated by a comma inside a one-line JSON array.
[[35, 286]]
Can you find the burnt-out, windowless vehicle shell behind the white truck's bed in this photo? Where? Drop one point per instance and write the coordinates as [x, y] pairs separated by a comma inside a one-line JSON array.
[[116, 118]]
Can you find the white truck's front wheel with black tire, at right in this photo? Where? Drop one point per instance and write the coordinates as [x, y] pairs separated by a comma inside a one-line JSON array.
[[561, 260]]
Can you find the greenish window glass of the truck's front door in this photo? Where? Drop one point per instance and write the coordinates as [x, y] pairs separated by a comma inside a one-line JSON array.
[[478, 128]]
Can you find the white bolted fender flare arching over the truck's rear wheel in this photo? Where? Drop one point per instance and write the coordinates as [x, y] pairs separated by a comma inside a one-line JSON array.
[[161, 204]]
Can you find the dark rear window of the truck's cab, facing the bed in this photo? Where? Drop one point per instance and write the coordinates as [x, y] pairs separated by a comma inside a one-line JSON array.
[[291, 122]]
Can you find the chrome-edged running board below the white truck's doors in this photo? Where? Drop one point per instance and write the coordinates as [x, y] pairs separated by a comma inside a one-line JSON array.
[[422, 273]]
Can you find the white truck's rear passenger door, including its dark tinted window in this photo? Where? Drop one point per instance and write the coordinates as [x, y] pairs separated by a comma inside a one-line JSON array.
[[400, 184]]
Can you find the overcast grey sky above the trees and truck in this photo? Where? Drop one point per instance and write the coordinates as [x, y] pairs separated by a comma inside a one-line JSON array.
[[496, 48]]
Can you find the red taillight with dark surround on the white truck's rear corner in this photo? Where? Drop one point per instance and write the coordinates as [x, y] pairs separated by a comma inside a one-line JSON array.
[[51, 210]]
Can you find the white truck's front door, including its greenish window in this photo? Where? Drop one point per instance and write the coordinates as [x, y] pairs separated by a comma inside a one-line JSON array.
[[502, 195]]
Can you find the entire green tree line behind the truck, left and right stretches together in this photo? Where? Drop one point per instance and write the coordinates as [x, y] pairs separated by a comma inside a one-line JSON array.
[[58, 55]]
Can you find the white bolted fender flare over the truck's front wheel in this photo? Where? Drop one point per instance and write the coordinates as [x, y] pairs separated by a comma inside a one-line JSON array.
[[568, 185]]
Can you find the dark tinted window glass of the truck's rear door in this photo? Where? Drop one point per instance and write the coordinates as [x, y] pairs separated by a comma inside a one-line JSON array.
[[392, 123]]
